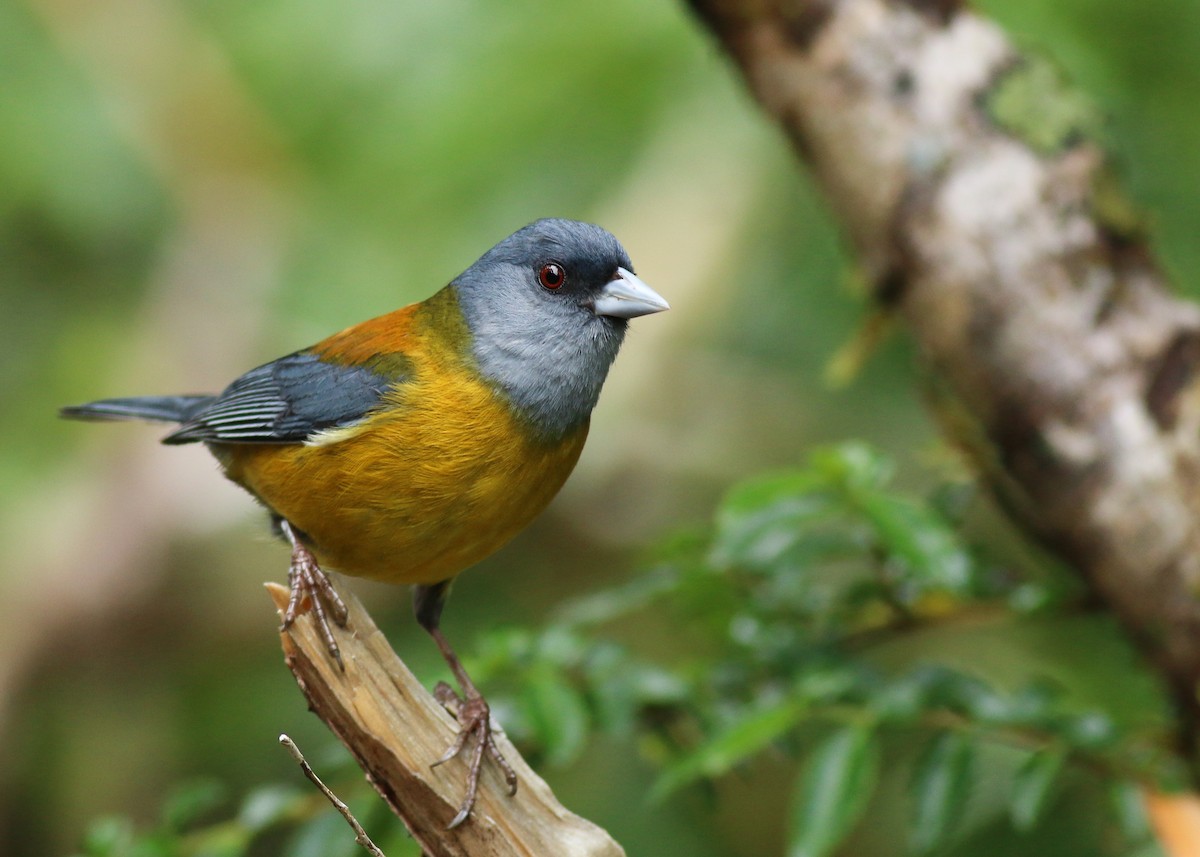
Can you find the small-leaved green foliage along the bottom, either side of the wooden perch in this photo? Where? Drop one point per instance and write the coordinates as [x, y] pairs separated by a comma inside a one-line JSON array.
[[784, 616]]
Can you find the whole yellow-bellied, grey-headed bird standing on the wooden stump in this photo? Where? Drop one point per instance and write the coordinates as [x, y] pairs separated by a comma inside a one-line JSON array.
[[412, 446]]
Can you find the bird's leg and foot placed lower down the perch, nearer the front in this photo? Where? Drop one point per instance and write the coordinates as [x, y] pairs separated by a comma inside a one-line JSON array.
[[471, 710]]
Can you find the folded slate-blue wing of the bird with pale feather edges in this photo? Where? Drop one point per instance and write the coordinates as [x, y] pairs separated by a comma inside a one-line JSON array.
[[291, 400]]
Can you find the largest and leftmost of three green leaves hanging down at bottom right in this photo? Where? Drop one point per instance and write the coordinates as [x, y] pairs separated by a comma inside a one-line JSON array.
[[833, 792]]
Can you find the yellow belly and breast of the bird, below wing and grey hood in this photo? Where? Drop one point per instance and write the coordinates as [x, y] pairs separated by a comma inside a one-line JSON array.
[[441, 481]]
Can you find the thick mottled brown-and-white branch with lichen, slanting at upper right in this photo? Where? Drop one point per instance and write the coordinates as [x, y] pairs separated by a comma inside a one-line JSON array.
[[1058, 355]]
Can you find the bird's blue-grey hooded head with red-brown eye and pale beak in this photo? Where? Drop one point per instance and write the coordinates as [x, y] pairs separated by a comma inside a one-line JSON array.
[[548, 309]]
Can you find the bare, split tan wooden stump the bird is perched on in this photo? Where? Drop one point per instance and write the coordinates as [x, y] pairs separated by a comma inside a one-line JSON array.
[[395, 730]]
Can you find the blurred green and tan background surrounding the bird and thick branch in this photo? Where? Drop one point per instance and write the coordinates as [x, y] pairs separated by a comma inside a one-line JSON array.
[[190, 189]]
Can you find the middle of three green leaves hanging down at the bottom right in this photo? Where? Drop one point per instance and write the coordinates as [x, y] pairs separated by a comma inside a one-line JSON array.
[[941, 784]]
